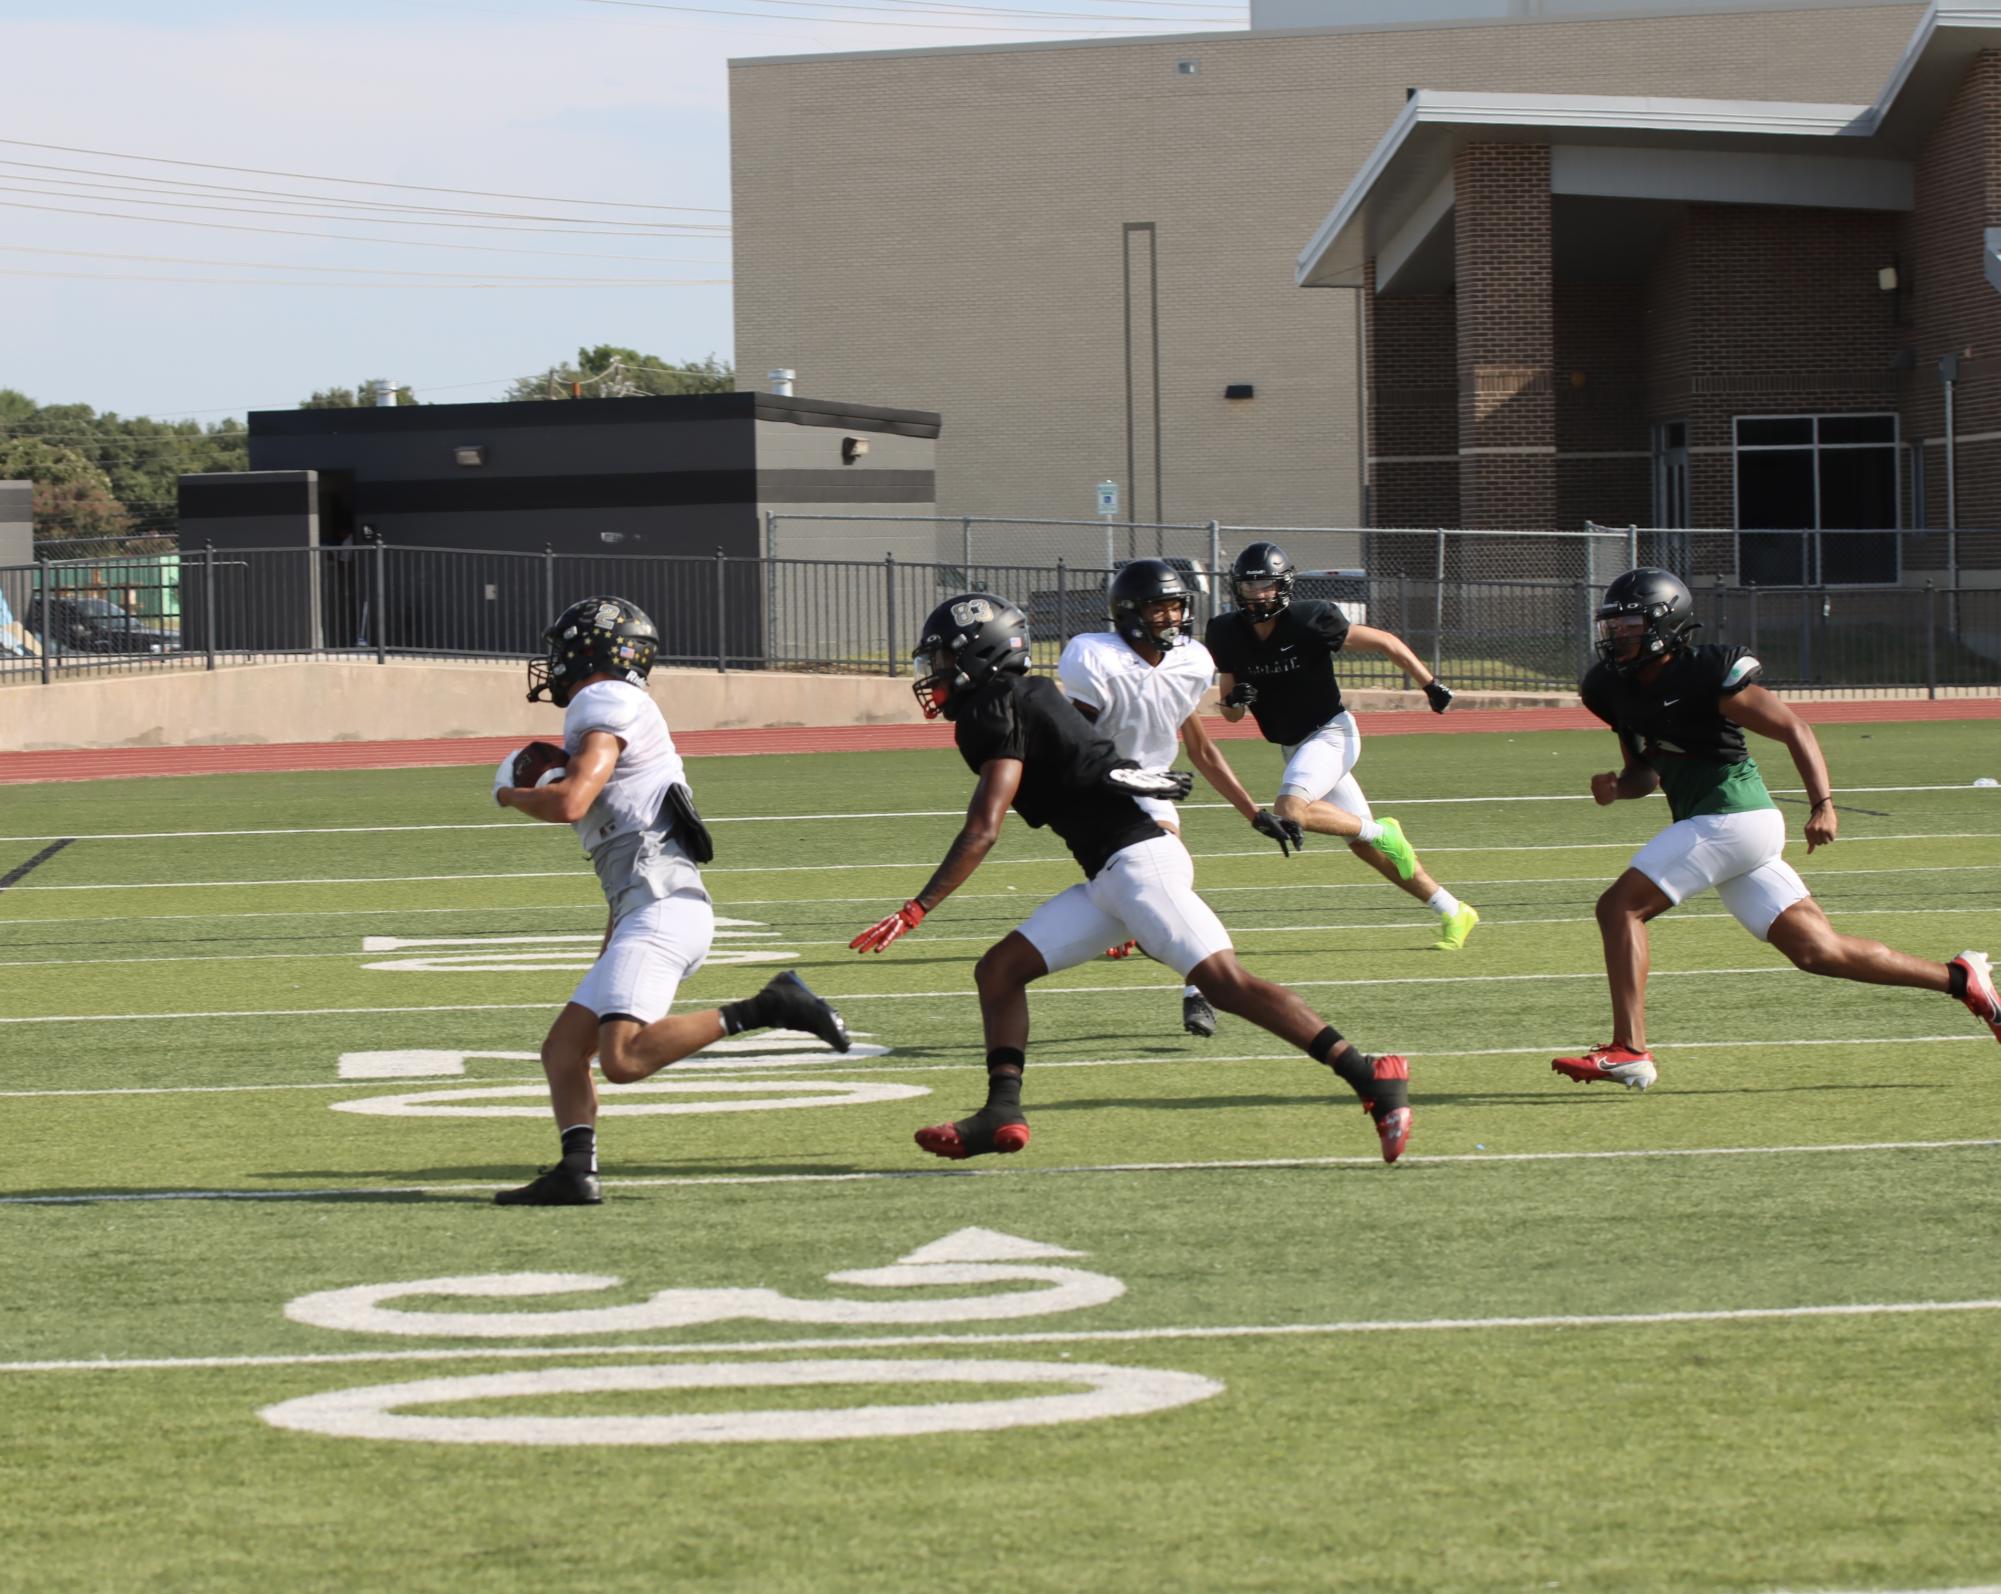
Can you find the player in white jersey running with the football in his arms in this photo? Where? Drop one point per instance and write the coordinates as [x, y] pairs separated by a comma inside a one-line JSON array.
[[627, 797]]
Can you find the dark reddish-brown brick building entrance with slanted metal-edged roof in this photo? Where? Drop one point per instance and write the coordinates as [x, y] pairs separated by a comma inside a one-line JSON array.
[[1694, 313]]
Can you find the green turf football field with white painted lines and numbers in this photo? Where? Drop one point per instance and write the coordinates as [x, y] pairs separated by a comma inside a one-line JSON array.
[[269, 1049]]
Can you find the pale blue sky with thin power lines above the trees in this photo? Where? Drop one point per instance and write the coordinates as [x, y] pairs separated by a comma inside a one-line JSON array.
[[567, 99]]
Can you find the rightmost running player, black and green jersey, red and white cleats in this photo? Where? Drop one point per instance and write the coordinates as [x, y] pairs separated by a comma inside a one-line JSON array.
[[1680, 711]]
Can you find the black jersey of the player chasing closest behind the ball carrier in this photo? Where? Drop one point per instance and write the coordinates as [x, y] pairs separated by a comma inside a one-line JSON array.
[[1064, 763]]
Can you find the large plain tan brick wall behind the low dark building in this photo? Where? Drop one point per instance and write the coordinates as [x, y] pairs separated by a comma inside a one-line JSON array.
[[941, 231]]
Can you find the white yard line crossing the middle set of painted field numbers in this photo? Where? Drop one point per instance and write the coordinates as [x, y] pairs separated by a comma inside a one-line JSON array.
[[735, 1069]]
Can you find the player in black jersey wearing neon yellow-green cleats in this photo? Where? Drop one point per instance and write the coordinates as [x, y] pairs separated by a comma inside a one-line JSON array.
[[1278, 661]]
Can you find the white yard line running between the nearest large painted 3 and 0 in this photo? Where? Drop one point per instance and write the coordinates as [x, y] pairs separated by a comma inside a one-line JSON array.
[[1282, 1331]]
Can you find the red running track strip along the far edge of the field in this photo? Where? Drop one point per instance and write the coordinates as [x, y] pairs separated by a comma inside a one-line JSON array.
[[279, 757]]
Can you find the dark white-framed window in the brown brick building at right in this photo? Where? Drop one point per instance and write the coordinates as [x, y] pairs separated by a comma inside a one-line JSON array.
[[1804, 485]]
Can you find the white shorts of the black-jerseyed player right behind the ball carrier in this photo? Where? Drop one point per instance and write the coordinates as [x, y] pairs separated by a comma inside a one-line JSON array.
[[1148, 893]]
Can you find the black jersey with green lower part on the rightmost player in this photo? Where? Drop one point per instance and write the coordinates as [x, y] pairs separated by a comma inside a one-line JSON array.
[[1676, 725]]
